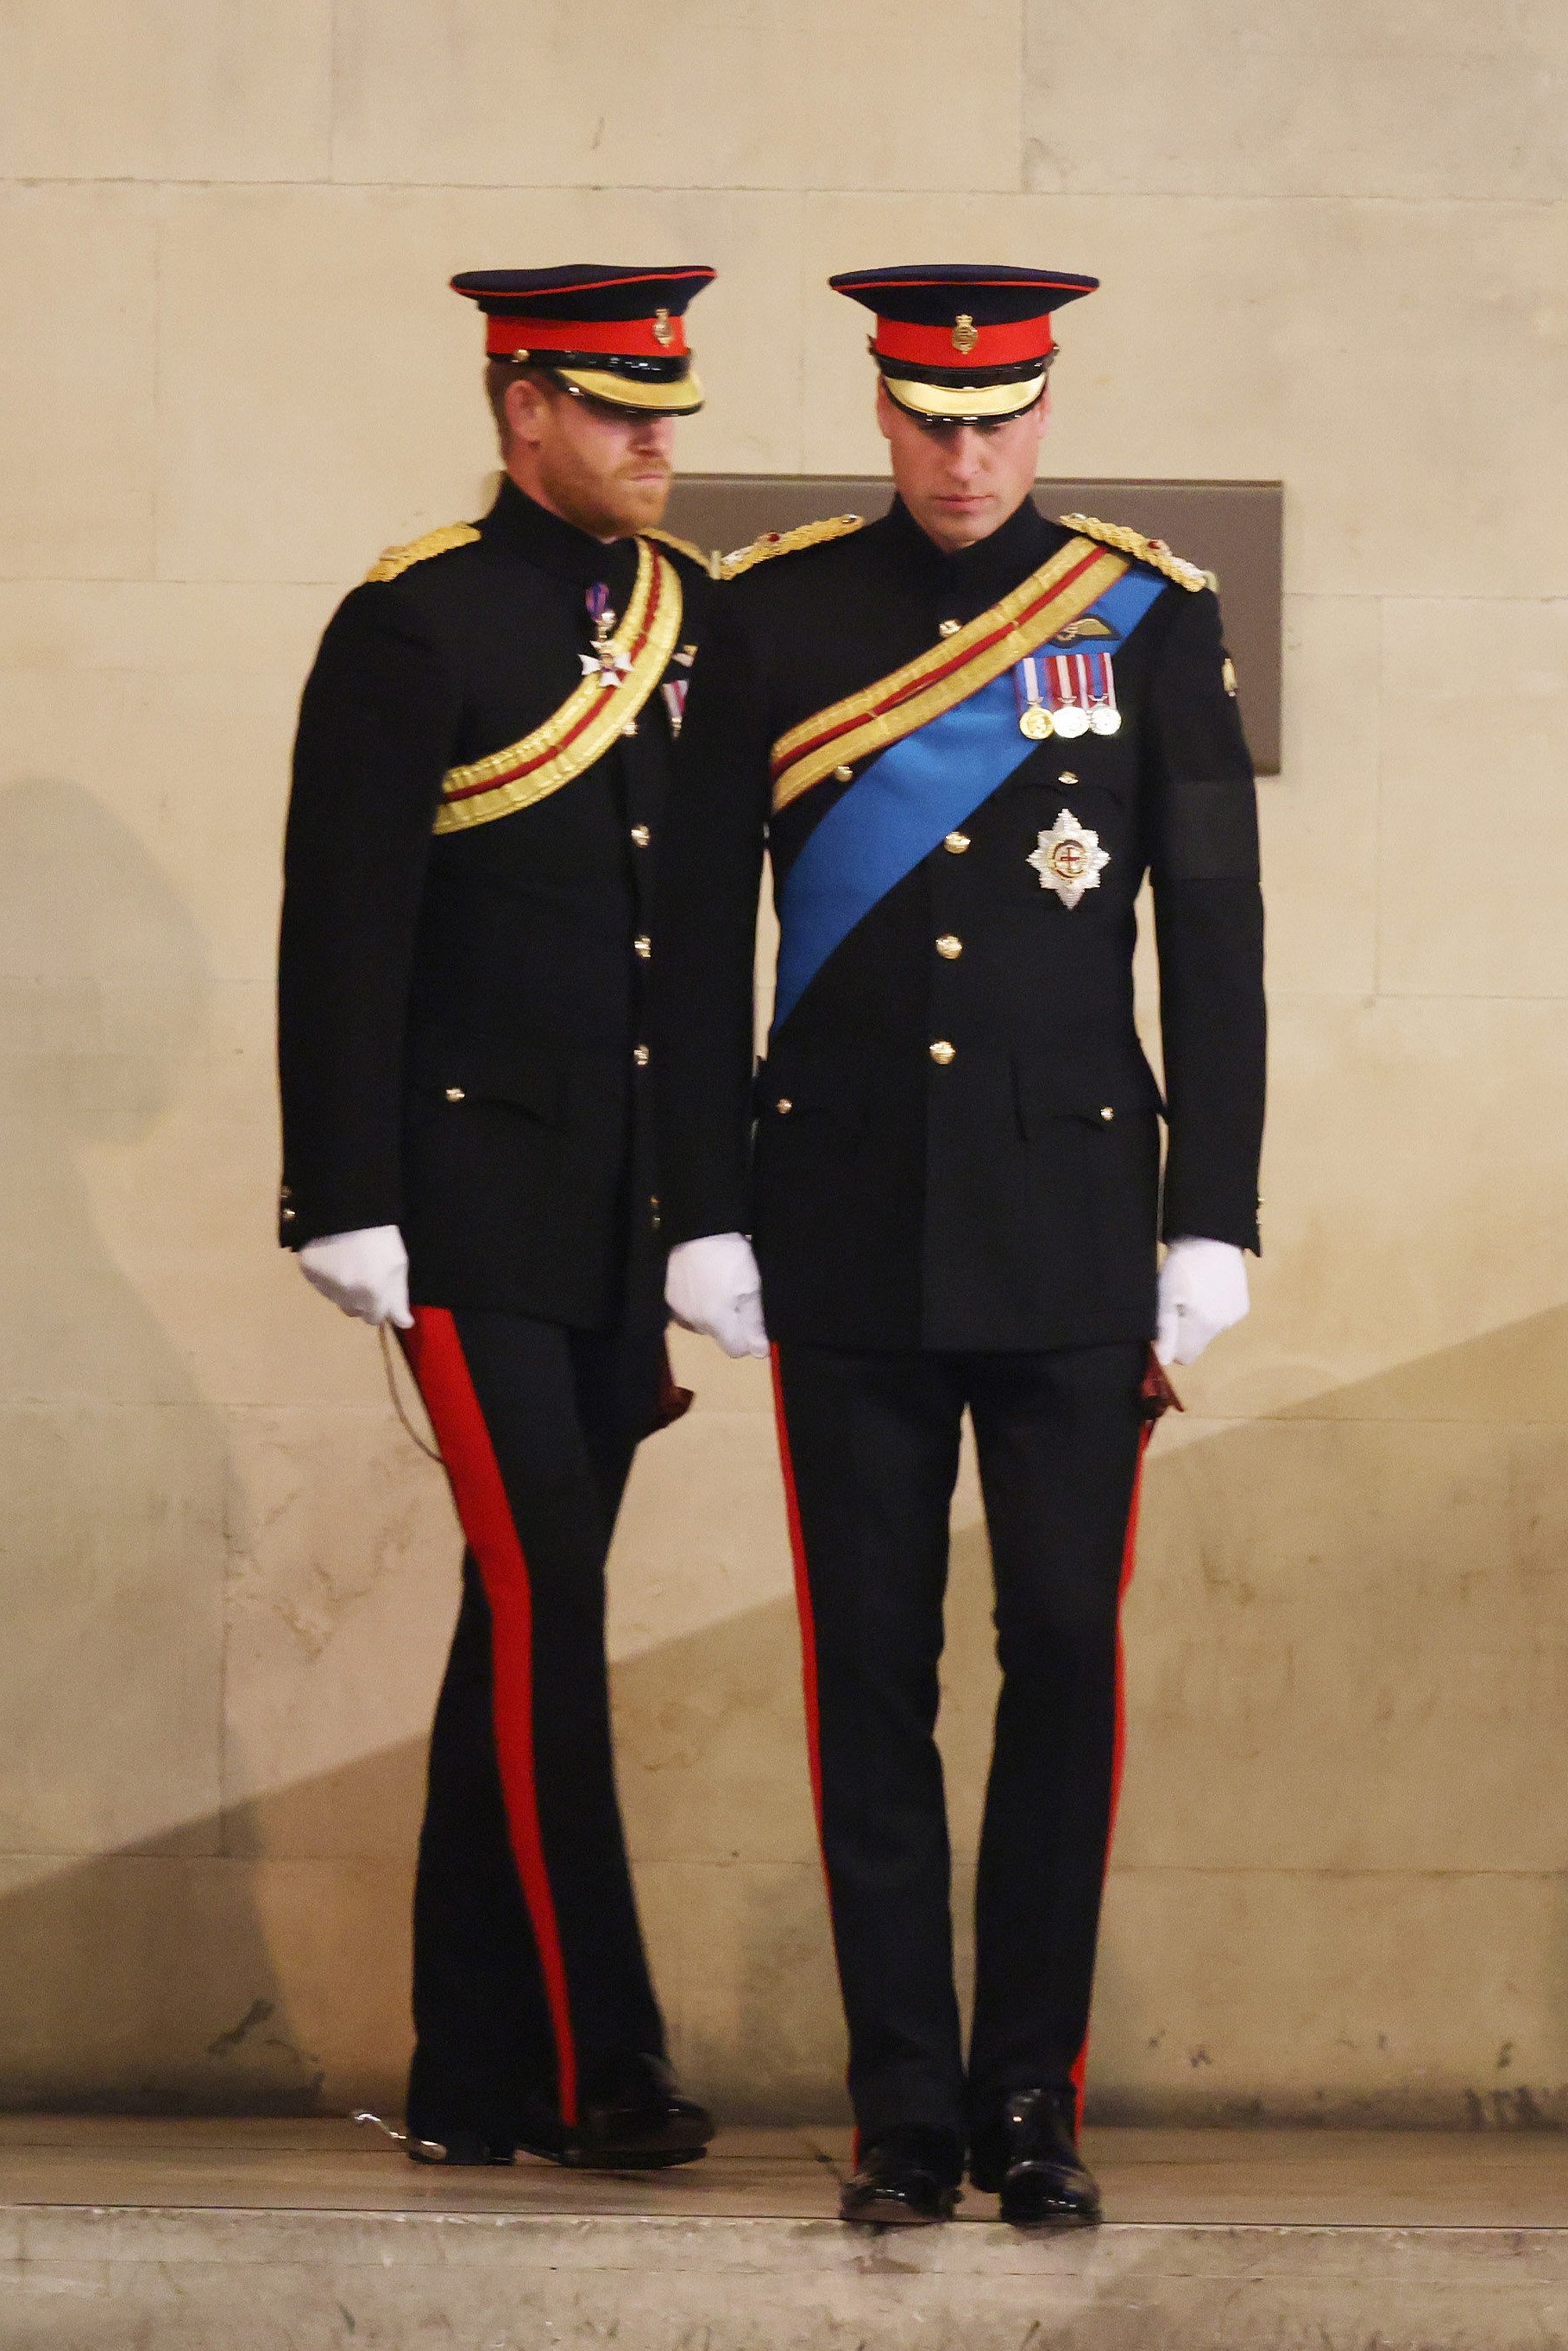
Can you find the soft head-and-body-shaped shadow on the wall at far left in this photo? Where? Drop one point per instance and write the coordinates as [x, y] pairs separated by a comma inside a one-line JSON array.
[[116, 1482]]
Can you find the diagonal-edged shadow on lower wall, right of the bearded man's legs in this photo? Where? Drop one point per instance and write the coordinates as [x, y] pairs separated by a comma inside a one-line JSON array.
[[1341, 1880]]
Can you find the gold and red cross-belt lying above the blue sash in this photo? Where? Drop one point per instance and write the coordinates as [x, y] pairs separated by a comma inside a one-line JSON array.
[[956, 669]]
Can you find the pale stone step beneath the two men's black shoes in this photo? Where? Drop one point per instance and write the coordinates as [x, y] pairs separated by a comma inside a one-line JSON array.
[[220, 2237]]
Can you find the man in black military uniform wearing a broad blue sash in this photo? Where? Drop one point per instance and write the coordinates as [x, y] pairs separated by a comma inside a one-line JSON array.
[[963, 735]]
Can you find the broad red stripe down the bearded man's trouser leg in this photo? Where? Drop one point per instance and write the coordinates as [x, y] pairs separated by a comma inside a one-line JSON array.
[[469, 1456]]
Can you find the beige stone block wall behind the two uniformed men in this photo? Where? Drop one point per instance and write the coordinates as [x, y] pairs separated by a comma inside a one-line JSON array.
[[1334, 250]]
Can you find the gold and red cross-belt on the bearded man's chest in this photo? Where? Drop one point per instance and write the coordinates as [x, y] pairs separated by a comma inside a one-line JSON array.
[[589, 721]]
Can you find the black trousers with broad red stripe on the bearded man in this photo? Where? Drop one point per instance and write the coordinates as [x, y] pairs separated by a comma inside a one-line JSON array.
[[530, 1974]]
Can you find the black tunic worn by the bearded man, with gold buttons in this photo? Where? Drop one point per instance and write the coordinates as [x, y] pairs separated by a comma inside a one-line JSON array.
[[460, 1014]]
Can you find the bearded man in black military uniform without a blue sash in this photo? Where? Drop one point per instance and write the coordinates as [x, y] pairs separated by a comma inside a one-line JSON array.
[[478, 796]]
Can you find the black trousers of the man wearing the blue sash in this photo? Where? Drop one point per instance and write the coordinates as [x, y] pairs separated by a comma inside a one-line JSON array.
[[871, 1456]]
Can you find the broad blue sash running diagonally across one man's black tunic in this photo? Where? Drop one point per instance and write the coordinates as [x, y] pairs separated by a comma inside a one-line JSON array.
[[906, 803]]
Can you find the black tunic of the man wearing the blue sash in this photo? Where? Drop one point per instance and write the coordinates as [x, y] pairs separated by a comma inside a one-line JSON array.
[[1005, 1195]]
